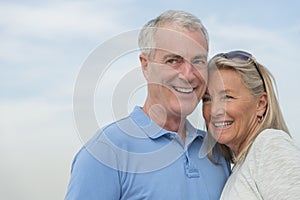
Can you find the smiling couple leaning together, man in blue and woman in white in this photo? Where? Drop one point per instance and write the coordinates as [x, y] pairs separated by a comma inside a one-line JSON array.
[[155, 153]]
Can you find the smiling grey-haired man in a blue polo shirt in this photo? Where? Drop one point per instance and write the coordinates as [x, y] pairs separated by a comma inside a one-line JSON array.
[[154, 153]]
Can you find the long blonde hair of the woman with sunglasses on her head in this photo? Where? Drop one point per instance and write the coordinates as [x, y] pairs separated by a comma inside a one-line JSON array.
[[258, 80]]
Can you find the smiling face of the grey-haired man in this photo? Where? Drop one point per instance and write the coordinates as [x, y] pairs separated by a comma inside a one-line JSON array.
[[177, 71]]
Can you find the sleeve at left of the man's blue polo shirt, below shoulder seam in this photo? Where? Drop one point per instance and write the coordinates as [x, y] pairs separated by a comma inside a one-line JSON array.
[[91, 179]]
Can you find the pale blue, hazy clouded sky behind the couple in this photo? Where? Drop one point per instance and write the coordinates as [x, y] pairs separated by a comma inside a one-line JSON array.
[[46, 45]]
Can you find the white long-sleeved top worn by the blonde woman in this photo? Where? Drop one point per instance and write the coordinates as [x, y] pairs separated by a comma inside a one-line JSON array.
[[271, 170]]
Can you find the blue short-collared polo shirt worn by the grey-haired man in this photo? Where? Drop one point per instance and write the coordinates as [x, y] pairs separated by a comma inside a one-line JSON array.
[[134, 158]]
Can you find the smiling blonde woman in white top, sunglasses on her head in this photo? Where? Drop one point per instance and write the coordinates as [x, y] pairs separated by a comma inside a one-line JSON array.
[[242, 114]]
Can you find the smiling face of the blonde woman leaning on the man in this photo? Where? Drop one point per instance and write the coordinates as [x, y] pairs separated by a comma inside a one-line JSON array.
[[229, 109]]
